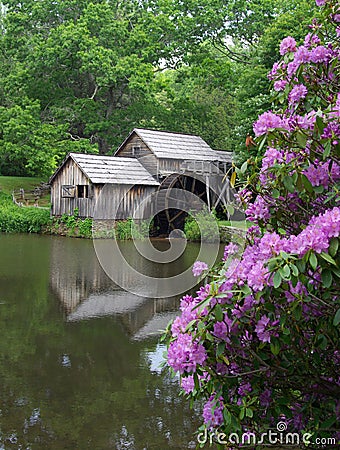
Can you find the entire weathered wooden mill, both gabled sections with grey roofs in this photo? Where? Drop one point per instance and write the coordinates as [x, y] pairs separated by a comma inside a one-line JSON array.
[[147, 162]]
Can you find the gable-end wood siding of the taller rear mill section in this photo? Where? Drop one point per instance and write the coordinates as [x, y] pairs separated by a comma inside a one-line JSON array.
[[144, 155]]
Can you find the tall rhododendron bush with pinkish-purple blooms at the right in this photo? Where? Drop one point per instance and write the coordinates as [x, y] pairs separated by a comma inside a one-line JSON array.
[[260, 341]]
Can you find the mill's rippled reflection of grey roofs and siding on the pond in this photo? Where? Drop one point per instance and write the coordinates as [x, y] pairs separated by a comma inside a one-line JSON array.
[[86, 292]]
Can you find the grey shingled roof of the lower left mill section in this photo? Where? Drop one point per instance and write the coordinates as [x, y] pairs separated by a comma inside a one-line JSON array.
[[107, 169]]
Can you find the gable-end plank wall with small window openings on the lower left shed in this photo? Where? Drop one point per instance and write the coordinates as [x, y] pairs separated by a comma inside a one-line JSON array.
[[71, 175]]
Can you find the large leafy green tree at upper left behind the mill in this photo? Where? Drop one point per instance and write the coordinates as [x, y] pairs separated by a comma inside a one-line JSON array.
[[92, 64]]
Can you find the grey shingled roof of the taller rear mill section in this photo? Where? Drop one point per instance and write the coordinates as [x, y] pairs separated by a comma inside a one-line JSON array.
[[170, 145]]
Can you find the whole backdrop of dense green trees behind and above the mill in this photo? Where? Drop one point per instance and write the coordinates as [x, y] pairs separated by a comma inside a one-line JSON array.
[[78, 76]]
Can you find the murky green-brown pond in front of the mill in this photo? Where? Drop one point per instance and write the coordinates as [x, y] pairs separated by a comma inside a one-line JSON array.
[[80, 357]]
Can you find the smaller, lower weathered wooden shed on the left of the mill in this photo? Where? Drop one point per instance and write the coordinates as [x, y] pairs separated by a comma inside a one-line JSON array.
[[78, 182]]
